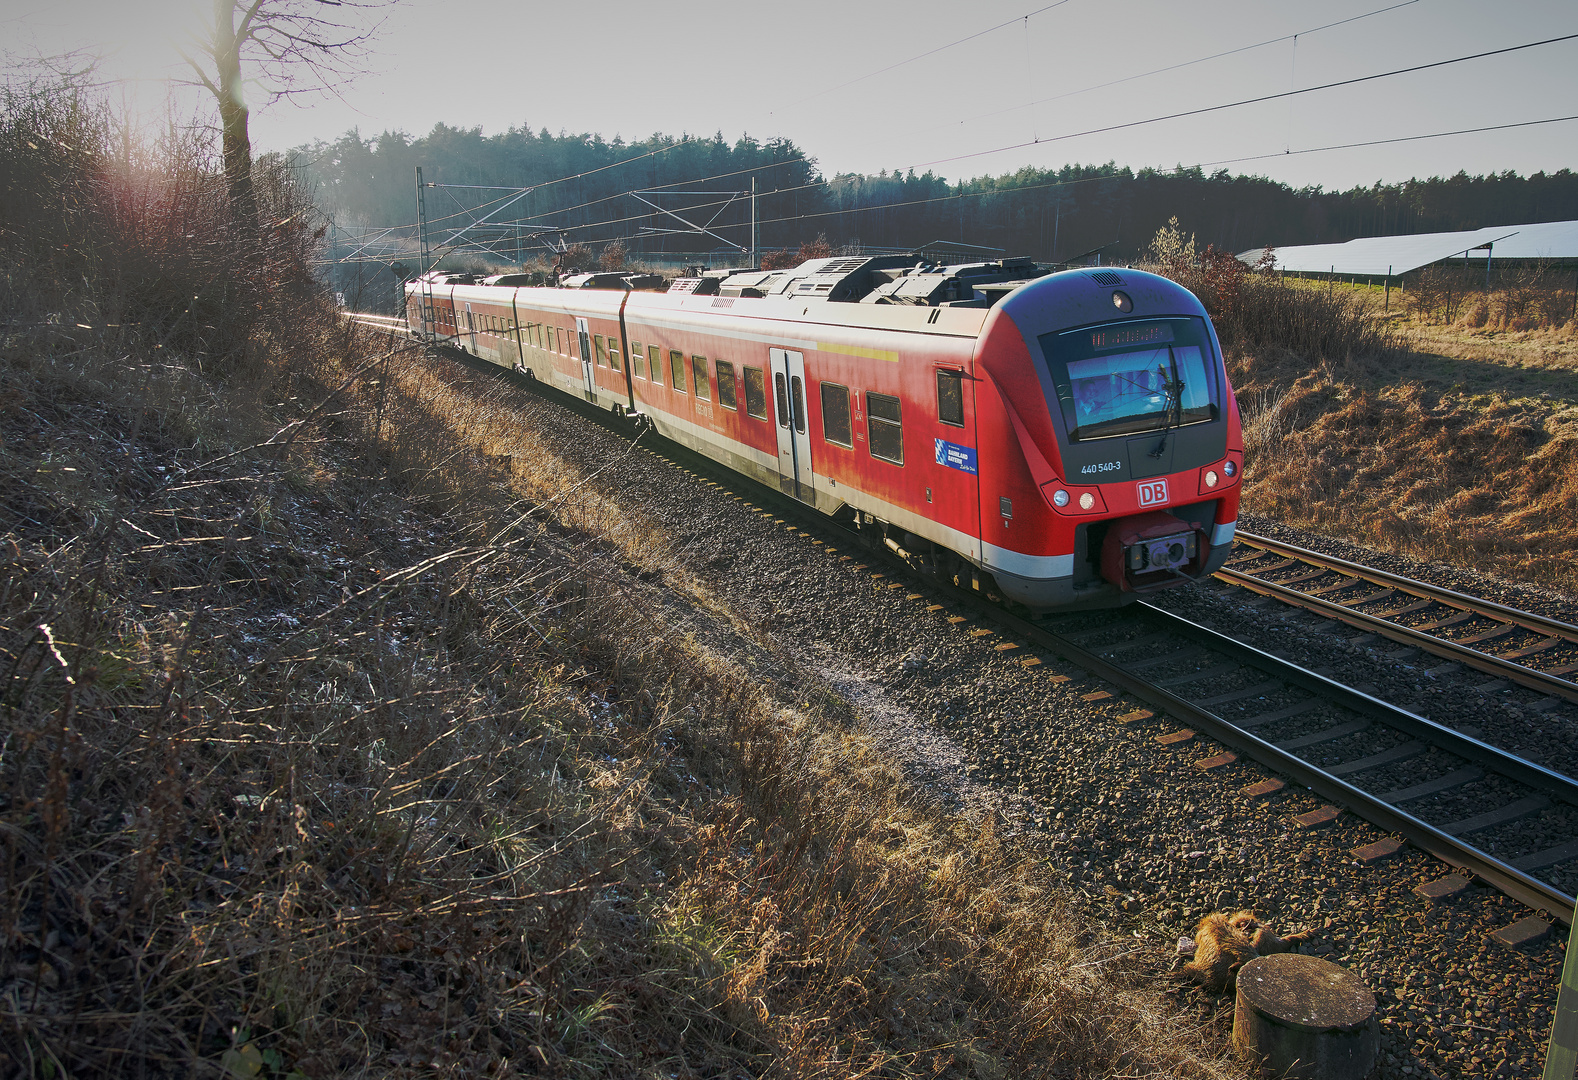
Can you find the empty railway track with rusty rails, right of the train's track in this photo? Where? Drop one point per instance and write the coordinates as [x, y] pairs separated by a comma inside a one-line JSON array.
[[1524, 648]]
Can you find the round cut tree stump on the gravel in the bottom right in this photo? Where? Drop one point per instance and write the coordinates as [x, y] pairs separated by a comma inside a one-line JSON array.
[[1306, 1018]]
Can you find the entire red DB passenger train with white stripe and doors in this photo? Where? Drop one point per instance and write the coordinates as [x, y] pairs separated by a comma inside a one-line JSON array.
[[1074, 435]]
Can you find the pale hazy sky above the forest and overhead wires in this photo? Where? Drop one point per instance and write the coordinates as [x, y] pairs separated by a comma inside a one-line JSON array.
[[962, 89]]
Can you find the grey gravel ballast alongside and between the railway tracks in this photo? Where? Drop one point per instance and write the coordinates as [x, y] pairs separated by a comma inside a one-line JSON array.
[[1145, 838]]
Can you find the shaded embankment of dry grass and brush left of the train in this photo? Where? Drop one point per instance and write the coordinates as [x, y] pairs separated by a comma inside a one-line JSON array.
[[335, 741]]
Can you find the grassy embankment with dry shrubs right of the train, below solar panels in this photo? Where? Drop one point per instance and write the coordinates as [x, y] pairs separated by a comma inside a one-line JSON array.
[[1443, 440]]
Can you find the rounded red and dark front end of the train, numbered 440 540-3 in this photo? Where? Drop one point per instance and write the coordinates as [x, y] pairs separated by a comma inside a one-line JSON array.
[[1116, 457]]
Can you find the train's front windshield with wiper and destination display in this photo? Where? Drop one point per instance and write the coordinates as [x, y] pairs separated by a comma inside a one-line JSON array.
[[1134, 377]]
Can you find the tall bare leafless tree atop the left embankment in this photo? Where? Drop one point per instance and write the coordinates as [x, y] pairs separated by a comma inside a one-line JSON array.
[[294, 48]]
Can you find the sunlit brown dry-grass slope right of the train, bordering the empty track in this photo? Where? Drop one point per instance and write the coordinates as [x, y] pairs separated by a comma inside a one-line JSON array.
[[1487, 482]]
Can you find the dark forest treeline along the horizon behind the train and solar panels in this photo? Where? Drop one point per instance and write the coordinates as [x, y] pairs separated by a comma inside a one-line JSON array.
[[581, 186]]
